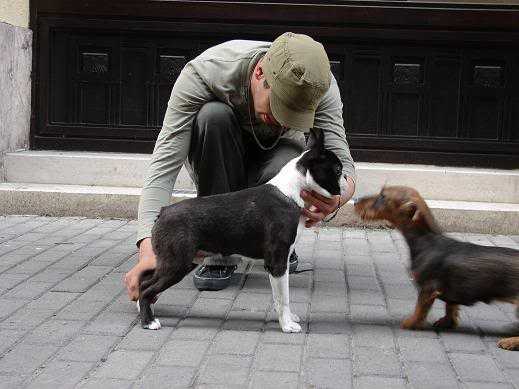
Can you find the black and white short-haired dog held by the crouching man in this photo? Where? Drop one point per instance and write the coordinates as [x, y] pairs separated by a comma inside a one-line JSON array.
[[259, 222]]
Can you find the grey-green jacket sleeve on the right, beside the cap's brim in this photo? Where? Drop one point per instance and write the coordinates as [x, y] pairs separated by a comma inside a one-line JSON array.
[[328, 118]]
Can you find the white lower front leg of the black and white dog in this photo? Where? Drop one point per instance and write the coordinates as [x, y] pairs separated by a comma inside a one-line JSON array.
[[280, 293]]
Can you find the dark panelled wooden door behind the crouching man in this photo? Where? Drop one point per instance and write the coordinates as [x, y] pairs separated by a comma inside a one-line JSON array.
[[420, 83]]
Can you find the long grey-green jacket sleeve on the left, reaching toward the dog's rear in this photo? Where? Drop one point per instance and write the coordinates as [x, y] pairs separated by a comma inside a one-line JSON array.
[[188, 95]]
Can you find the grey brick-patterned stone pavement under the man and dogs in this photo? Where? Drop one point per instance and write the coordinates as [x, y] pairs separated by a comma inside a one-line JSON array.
[[65, 320]]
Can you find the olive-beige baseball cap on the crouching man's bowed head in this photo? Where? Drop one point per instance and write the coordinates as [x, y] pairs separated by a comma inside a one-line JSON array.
[[298, 71]]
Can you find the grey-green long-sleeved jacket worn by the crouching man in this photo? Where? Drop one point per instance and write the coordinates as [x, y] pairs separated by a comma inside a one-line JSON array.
[[221, 73]]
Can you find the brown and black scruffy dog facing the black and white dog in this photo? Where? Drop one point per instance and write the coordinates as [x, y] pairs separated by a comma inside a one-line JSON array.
[[458, 273]]
